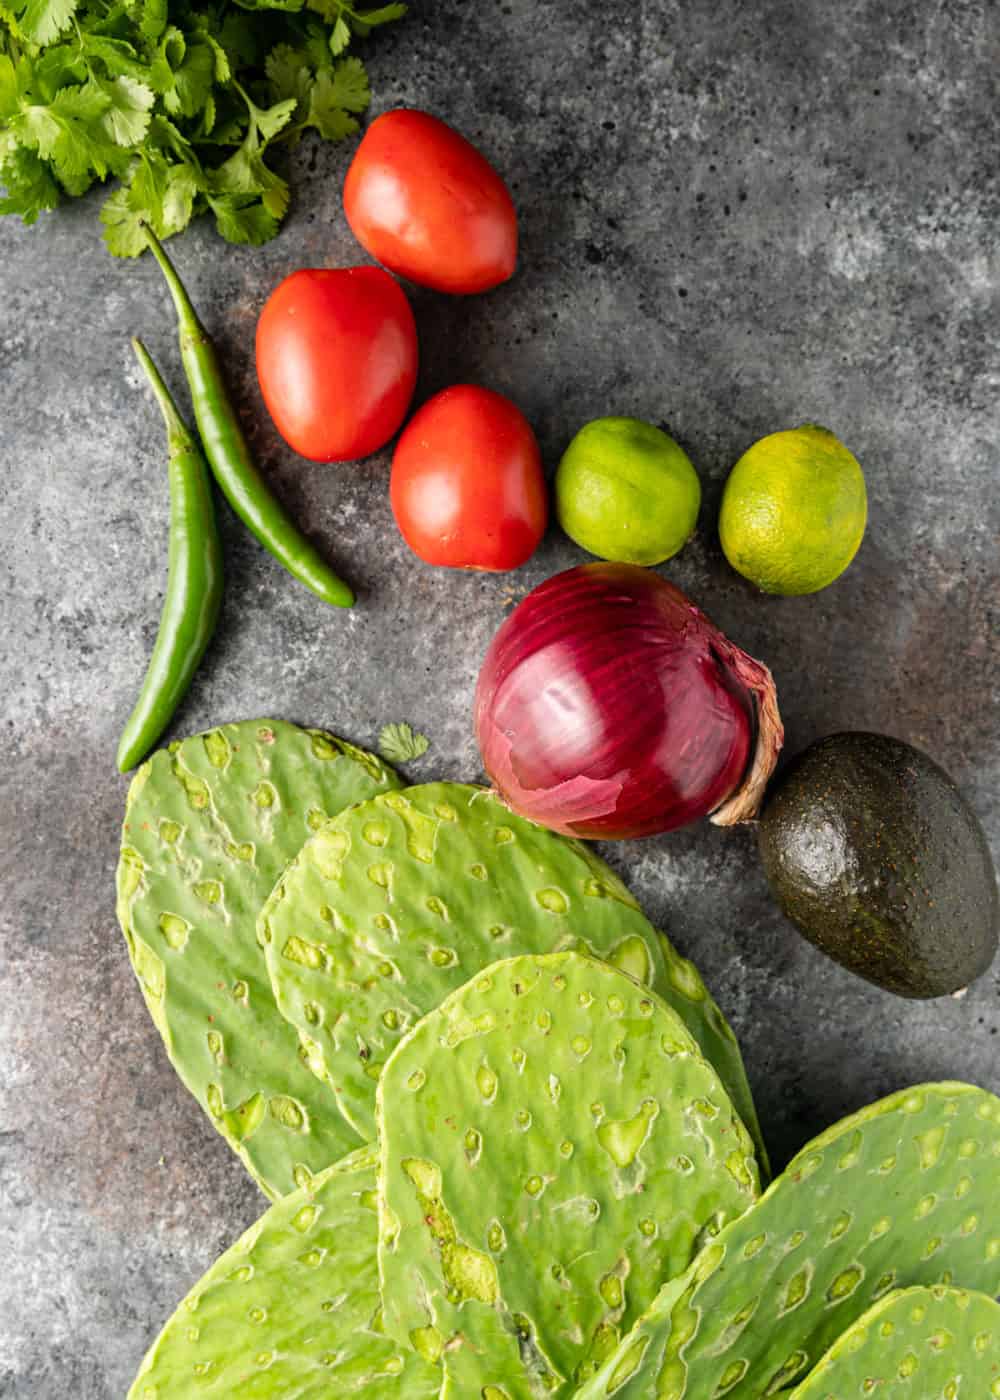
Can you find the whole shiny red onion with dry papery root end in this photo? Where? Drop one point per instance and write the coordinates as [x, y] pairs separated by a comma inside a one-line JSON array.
[[609, 706]]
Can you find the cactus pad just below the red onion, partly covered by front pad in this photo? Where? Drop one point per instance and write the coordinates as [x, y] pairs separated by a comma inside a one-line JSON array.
[[398, 902]]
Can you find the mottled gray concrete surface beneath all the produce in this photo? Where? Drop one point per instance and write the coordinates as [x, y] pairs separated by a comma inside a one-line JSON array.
[[736, 218]]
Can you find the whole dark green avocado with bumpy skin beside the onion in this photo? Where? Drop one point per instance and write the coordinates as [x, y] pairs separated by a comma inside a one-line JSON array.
[[879, 860]]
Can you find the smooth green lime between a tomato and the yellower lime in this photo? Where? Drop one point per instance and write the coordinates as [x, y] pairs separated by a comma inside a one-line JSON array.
[[627, 492]]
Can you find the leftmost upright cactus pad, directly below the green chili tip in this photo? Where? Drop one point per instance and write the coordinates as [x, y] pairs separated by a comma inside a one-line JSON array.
[[209, 825]]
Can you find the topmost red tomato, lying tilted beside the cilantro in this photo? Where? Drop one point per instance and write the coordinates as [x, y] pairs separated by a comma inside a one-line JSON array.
[[429, 206]]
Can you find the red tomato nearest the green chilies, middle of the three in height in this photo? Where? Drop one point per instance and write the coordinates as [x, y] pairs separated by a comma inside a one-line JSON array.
[[337, 358]]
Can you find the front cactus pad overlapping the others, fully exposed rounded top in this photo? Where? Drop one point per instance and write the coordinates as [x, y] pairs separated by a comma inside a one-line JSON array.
[[554, 1146]]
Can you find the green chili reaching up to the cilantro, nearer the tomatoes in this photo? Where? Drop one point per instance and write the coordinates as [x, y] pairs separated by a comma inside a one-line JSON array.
[[230, 457]]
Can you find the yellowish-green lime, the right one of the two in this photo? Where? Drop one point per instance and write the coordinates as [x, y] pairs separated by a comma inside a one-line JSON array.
[[793, 512]]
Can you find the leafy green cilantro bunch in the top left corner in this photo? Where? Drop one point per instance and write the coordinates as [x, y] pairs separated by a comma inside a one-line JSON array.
[[181, 100]]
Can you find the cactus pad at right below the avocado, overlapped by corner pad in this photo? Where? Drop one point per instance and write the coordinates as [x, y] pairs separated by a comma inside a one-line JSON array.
[[901, 1193]]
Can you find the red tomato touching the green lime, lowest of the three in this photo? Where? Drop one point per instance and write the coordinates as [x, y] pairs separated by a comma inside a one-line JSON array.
[[467, 482]]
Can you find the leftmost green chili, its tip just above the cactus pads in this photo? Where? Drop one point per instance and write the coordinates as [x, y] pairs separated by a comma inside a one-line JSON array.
[[194, 582]]
